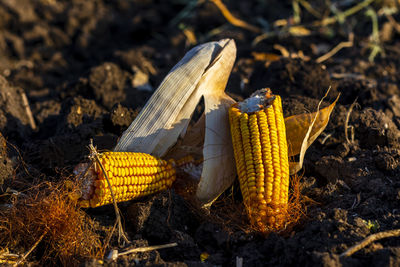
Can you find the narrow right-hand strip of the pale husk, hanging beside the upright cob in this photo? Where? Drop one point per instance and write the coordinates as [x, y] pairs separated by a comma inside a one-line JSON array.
[[219, 169]]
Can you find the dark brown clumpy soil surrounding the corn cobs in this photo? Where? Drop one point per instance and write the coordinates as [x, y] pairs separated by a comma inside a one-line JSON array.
[[87, 67]]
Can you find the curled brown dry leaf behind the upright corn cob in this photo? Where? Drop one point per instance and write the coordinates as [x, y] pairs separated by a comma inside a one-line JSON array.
[[303, 129]]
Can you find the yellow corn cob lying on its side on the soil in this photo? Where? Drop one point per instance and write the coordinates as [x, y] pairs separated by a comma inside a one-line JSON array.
[[131, 175]]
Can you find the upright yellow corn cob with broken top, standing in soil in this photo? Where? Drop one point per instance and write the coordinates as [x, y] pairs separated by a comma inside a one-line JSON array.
[[261, 155]]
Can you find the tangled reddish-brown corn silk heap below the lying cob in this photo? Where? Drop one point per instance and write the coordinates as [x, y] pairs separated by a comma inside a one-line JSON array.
[[45, 216]]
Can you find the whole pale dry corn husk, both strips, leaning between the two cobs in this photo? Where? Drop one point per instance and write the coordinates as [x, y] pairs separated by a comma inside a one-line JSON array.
[[203, 72]]
